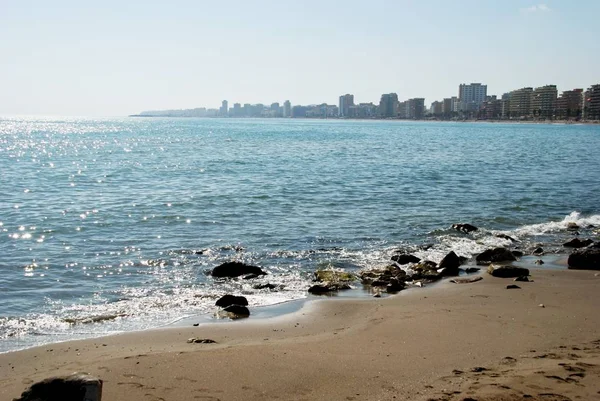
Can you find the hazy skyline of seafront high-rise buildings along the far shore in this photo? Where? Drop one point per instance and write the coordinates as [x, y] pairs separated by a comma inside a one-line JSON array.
[[539, 104]]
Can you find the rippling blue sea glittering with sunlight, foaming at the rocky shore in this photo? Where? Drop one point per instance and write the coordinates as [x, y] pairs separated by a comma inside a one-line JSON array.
[[110, 225]]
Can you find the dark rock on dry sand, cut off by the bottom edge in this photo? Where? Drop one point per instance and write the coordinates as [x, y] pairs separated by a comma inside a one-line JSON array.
[[76, 387]]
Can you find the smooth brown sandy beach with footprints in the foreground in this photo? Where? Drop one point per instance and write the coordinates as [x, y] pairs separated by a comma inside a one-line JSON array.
[[477, 341]]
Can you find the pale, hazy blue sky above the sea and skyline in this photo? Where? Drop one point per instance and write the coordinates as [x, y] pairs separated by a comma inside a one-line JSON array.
[[114, 58]]
